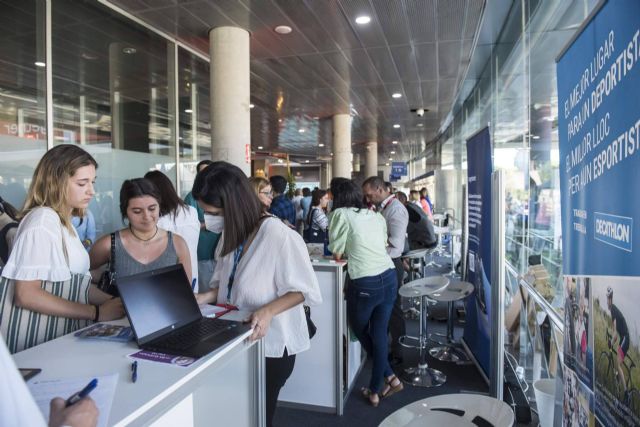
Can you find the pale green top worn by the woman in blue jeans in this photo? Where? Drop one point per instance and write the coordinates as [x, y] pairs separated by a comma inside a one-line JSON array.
[[361, 234]]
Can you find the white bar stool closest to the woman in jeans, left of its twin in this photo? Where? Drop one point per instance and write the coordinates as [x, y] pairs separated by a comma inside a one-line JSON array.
[[422, 375]]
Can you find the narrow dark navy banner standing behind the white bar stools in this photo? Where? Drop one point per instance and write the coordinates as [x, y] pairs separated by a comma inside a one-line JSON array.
[[477, 331]]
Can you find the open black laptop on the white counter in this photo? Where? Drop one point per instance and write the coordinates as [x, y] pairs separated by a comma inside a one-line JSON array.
[[165, 316]]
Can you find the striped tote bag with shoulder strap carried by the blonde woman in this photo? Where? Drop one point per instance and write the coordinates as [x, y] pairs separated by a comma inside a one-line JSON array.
[[23, 328]]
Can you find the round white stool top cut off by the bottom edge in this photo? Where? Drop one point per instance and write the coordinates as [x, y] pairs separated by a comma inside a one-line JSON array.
[[457, 410]]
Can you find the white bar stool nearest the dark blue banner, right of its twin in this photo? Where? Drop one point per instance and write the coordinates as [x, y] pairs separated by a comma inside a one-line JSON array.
[[451, 351]]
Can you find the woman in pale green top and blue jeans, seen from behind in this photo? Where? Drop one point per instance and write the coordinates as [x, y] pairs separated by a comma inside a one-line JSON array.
[[361, 234]]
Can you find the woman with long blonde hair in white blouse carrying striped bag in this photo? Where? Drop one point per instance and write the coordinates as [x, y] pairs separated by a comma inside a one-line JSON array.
[[48, 252]]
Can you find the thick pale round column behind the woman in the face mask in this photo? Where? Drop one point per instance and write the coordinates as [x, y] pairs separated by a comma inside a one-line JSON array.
[[230, 114]]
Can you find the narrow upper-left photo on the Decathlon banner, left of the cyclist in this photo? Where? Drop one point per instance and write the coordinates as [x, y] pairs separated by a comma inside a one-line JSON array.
[[578, 337]]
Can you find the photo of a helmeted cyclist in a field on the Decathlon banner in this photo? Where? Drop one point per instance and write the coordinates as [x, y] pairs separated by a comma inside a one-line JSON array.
[[616, 320]]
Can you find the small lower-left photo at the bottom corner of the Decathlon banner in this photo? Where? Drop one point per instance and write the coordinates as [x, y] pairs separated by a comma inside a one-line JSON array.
[[577, 408]]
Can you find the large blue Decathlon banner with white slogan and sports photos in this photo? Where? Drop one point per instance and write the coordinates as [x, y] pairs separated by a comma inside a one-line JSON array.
[[599, 144]]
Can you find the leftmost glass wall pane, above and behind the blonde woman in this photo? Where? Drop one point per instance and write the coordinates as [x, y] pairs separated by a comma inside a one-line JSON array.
[[23, 132]]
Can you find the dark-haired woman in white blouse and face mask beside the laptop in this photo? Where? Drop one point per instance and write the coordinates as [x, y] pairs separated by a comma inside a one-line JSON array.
[[263, 268]]
